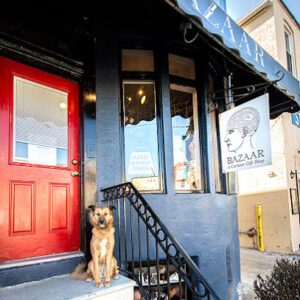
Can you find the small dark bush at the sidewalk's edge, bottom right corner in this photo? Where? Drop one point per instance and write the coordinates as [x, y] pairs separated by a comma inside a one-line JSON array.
[[282, 284]]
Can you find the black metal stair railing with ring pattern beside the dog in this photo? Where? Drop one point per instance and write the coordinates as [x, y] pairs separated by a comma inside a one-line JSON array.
[[148, 253]]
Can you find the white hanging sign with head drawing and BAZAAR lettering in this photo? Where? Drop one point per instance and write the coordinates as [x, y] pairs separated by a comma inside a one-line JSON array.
[[245, 135]]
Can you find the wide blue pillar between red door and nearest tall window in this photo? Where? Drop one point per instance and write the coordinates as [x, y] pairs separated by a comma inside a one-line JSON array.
[[108, 147]]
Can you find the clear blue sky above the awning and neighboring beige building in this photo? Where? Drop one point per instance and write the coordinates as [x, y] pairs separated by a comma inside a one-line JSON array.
[[237, 8]]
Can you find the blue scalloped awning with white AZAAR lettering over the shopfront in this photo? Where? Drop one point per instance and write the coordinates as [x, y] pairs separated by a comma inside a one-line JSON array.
[[211, 20]]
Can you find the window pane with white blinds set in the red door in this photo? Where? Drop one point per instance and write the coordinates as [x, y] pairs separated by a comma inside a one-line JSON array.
[[40, 124]]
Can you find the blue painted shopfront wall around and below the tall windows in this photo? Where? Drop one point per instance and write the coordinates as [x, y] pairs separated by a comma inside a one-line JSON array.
[[204, 224]]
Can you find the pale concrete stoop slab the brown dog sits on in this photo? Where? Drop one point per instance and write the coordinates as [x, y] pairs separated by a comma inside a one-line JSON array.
[[64, 288]]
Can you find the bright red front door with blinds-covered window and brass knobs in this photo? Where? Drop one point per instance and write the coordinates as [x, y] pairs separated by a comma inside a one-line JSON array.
[[39, 155]]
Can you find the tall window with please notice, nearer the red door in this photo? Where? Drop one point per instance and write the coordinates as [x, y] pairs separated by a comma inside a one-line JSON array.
[[140, 135]]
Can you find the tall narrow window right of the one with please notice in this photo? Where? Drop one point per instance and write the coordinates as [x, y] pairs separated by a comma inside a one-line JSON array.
[[186, 146]]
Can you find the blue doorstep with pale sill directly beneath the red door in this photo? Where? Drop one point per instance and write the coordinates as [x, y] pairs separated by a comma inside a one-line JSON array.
[[36, 268]]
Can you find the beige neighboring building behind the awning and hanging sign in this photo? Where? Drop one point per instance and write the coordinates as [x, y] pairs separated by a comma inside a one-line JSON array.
[[273, 26]]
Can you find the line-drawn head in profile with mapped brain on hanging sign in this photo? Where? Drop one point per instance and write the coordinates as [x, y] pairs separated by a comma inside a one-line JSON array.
[[241, 126]]
